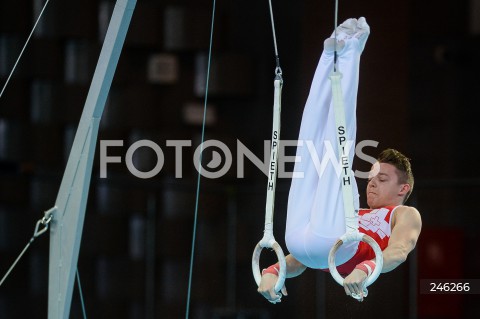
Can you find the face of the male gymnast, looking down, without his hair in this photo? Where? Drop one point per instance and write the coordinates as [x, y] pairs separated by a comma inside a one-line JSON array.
[[384, 188]]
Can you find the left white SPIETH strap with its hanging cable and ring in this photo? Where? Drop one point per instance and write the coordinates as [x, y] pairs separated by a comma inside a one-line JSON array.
[[268, 240]]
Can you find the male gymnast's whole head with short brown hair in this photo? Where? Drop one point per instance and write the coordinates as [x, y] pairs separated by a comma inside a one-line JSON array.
[[390, 180]]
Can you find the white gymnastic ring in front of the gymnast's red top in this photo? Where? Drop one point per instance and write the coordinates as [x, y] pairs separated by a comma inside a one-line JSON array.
[[349, 237]]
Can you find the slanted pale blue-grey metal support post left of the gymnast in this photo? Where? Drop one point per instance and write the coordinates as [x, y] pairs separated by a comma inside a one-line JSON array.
[[69, 211]]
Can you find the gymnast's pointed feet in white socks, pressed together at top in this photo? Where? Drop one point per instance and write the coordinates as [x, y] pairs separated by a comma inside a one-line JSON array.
[[350, 28]]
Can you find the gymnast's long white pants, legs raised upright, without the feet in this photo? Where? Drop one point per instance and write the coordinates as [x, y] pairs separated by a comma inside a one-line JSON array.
[[315, 215]]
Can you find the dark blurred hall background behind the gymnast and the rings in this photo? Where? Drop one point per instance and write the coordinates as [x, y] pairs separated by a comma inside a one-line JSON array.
[[419, 75]]
